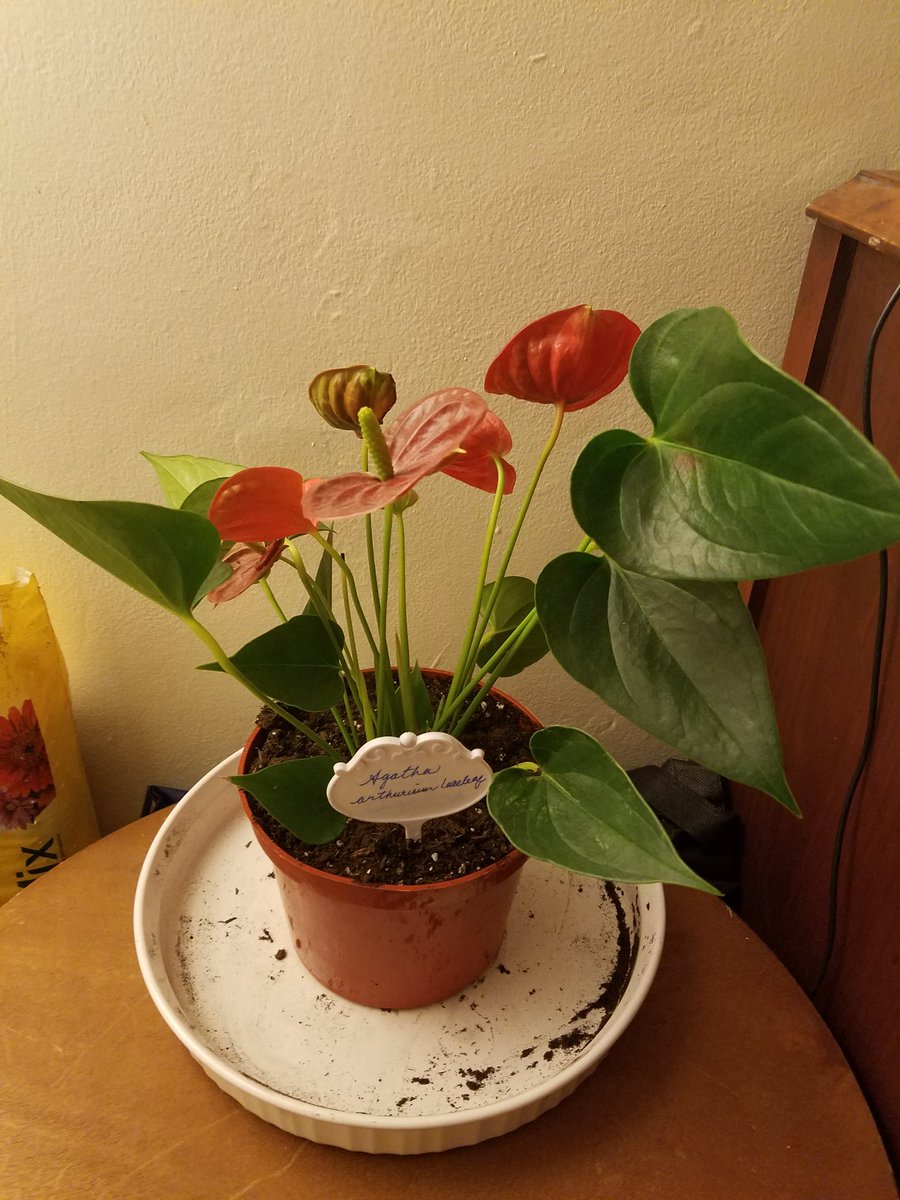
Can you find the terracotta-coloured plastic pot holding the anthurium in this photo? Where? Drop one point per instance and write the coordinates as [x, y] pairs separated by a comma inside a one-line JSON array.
[[393, 946]]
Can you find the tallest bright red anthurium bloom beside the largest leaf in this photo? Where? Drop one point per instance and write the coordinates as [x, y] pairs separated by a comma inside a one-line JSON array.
[[573, 357]]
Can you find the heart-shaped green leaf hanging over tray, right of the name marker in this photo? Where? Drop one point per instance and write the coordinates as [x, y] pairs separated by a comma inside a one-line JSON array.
[[577, 807]]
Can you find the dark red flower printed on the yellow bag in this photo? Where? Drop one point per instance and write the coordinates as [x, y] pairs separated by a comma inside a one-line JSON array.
[[26, 778]]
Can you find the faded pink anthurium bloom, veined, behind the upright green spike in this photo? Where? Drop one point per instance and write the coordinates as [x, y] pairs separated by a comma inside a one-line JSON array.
[[424, 439]]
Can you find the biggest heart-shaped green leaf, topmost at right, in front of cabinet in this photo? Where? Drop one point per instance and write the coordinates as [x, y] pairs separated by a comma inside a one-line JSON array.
[[748, 475]]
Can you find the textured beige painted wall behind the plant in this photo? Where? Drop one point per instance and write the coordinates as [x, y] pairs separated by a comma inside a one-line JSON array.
[[206, 203]]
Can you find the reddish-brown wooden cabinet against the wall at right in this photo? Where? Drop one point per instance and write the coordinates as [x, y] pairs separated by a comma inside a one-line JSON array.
[[818, 632]]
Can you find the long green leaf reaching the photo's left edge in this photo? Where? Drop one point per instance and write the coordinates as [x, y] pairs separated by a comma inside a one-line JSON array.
[[166, 556]]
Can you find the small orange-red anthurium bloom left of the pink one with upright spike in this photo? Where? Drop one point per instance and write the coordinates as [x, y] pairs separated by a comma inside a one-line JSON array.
[[261, 505]]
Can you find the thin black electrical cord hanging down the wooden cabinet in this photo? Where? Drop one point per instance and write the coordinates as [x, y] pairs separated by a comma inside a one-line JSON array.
[[874, 680]]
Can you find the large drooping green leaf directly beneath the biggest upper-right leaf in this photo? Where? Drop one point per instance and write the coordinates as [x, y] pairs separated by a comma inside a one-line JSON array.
[[681, 659]]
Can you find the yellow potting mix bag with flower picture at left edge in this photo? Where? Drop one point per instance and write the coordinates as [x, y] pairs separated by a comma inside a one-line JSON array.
[[46, 811]]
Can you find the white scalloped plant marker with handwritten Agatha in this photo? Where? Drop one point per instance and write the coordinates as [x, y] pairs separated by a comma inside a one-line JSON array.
[[409, 781]]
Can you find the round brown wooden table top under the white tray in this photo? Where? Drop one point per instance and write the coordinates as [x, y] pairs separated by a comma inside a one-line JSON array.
[[728, 1084]]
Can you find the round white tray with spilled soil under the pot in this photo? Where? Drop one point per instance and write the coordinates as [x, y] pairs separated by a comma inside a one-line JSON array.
[[218, 961]]
